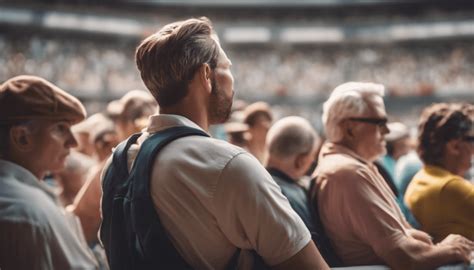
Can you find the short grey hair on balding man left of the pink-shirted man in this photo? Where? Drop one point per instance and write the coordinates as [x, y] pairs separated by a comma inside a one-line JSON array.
[[291, 136]]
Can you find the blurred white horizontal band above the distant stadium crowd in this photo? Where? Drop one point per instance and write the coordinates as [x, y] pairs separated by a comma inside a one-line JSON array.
[[253, 32]]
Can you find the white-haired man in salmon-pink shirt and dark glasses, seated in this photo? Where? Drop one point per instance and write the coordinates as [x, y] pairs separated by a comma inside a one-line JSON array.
[[356, 206]]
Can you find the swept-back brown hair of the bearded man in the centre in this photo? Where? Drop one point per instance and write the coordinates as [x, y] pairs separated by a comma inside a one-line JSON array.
[[168, 59]]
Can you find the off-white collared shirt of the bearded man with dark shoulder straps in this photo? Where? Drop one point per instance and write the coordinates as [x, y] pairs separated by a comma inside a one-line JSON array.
[[213, 197]]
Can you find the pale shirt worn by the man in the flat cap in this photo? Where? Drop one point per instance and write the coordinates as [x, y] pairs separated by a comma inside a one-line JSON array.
[[34, 231]]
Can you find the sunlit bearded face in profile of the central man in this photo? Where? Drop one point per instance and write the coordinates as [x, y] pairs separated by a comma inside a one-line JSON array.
[[222, 93]]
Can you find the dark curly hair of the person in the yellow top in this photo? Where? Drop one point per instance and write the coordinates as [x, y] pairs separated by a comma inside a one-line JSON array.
[[439, 124]]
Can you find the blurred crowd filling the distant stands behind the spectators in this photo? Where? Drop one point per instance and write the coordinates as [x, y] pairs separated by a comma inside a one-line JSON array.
[[107, 69]]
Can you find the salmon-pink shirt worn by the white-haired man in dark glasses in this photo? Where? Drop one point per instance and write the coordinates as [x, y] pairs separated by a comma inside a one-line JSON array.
[[357, 208]]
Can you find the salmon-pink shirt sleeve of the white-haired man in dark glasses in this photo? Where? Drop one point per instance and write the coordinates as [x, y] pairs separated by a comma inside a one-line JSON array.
[[372, 219]]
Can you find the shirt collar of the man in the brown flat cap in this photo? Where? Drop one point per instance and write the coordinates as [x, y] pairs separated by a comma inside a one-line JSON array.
[[20, 174]]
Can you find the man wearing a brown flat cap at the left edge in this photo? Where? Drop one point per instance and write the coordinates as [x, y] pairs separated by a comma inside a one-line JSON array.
[[35, 136]]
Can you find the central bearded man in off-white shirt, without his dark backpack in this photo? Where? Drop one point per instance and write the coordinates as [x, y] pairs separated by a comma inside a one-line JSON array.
[[211, 197]]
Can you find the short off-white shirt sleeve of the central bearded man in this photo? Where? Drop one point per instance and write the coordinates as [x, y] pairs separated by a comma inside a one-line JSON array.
[[253, 213]]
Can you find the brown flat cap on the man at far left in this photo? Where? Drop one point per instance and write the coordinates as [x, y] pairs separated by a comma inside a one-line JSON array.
[[30, 97]]
